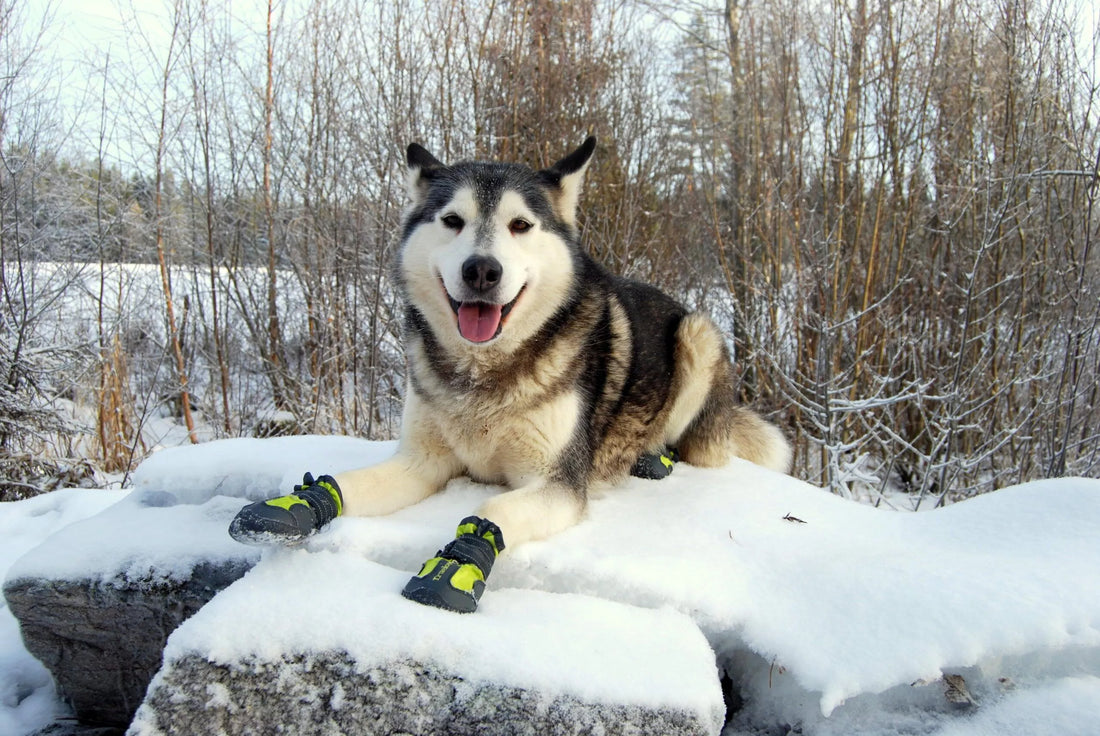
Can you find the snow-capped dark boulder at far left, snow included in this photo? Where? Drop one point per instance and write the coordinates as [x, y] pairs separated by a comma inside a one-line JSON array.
[[97, 602]]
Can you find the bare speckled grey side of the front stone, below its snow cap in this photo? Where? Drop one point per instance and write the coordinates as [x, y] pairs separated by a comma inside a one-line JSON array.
[[331, 694]]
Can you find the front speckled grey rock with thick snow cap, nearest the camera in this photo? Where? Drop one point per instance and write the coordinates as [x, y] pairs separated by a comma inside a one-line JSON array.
[[324, 644]]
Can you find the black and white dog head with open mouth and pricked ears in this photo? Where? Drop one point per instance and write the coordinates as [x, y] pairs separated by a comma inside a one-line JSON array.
[[489, 251]]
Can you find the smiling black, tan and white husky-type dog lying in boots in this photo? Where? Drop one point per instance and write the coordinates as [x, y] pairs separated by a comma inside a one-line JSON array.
[[531, 367]]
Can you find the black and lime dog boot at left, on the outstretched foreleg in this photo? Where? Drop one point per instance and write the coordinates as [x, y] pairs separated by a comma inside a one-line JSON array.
[[290, 520]]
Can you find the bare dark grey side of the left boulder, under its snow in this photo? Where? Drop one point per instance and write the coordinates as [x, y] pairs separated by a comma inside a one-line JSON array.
[[103, 641]]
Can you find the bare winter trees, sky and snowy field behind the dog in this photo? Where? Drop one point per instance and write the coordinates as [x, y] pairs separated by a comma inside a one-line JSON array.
[[890, 207]]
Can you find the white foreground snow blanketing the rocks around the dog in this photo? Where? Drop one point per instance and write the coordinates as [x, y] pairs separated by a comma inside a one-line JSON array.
[[829, 616]]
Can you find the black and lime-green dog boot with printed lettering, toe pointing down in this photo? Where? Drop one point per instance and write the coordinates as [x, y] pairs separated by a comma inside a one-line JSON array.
[[455, 579]]
